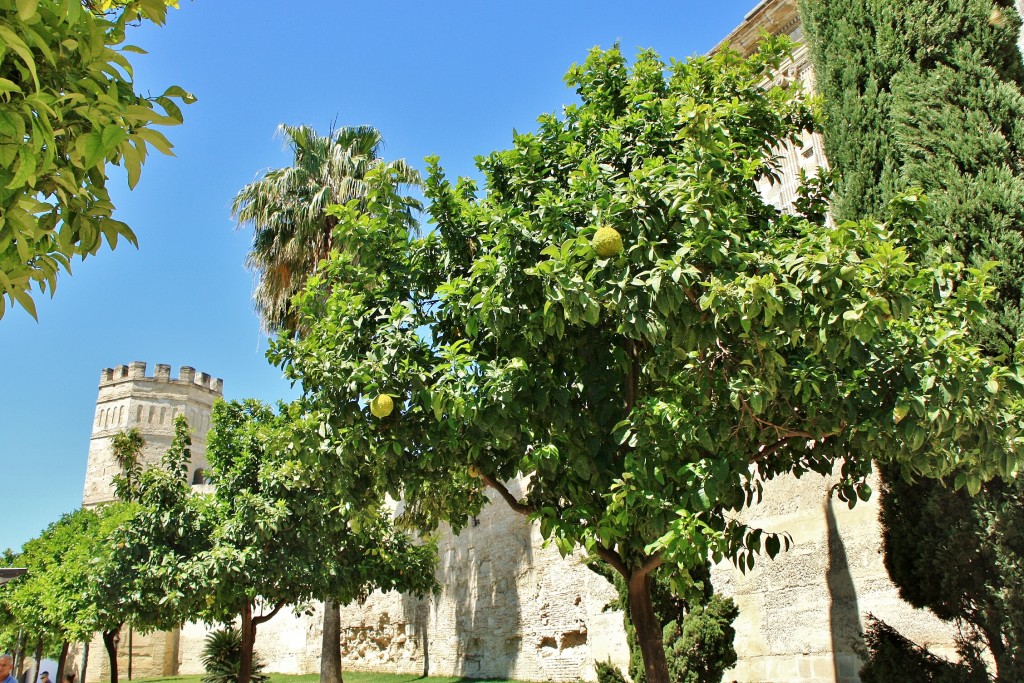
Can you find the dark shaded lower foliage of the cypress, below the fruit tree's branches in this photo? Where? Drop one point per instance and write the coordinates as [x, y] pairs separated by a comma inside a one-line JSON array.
[[963, 559]]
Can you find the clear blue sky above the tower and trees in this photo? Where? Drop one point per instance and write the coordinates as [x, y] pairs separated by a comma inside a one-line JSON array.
[[439, 78]]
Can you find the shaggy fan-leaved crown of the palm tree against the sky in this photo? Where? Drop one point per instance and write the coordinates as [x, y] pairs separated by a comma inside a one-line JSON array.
[[287, 209]]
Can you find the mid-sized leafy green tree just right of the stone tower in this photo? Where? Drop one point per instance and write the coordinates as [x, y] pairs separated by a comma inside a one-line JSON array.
[[280, 537]]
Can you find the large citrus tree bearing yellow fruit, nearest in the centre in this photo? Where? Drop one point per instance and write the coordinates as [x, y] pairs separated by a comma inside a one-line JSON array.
[[622, 320]]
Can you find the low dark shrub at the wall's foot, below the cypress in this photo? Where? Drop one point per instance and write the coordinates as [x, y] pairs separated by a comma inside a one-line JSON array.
[[893, 658]]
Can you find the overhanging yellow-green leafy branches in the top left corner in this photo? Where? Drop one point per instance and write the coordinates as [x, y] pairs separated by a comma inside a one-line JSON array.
[[68, 108]]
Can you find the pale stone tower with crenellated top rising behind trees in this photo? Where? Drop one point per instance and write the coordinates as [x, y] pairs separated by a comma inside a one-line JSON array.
[[130, 399]]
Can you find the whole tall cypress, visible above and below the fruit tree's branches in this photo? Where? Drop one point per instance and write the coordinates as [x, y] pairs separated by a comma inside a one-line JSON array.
[[924, 95]]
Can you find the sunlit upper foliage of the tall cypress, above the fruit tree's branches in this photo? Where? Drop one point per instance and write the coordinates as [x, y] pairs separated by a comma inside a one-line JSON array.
[[919, 97]]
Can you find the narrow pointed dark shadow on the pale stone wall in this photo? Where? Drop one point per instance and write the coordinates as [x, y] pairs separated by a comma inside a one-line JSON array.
[[844, 613]]
